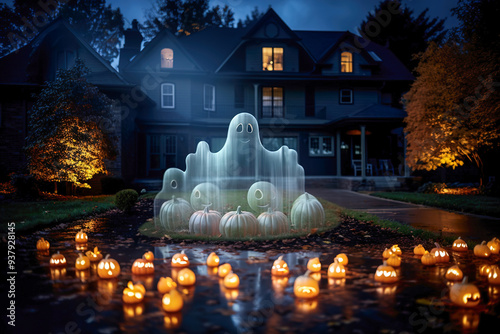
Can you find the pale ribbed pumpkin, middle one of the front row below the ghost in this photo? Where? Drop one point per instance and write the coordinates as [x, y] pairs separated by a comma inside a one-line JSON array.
[[238, 224]]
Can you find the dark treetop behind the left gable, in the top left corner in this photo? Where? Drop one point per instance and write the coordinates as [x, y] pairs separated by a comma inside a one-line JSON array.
[[97, 23]]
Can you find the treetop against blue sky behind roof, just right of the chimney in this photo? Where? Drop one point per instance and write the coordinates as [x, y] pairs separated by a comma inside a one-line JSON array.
[[184, 17]]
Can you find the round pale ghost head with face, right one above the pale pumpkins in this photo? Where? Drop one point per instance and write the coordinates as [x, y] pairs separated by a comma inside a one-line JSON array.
[[262, 196]]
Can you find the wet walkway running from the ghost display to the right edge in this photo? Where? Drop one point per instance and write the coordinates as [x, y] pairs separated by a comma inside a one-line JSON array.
[[468, 226]]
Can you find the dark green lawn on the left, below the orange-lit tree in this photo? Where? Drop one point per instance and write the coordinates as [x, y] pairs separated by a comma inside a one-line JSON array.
[[28, 215]]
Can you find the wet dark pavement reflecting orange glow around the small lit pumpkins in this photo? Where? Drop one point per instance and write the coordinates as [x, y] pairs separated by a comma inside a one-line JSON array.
[[69, 301]]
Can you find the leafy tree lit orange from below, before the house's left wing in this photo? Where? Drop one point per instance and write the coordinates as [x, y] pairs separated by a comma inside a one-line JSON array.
[[68, 137]]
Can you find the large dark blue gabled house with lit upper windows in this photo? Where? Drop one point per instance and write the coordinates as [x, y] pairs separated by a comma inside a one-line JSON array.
[[317, 92]]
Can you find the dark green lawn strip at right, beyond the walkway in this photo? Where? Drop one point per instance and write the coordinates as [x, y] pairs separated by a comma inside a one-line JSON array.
[[483, 205]]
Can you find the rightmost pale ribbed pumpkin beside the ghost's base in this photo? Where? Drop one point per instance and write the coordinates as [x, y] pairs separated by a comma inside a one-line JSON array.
[[307, 213]]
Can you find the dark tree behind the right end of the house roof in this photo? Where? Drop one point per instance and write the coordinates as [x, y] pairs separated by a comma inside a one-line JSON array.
[[394, 25]]
